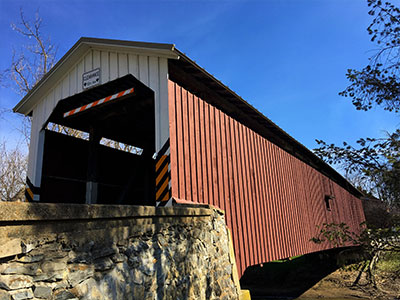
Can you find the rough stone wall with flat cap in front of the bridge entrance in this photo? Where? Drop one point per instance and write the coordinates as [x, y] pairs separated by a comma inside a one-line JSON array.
[[60, 251]]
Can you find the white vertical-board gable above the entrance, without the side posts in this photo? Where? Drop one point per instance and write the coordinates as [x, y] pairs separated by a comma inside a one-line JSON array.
[[151, 70]]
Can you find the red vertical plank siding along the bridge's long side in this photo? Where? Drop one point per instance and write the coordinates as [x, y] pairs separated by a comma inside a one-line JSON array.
[[272, 200]]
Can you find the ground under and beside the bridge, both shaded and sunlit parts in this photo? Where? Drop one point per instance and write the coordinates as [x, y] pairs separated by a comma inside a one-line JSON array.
[[318, 276]]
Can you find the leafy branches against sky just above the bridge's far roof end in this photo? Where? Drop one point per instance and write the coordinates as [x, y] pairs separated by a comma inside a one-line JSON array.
[[374, 166]]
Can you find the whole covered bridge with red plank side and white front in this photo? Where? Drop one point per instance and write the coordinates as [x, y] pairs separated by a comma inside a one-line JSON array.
[[190, 138]]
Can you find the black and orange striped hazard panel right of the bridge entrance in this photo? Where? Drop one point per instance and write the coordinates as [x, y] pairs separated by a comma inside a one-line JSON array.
[[163, 175]]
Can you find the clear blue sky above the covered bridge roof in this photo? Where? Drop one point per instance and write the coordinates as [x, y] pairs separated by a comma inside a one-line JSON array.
[[286, 58]]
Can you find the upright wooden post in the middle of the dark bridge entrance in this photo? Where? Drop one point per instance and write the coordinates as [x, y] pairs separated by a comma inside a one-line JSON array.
[[92, 171]]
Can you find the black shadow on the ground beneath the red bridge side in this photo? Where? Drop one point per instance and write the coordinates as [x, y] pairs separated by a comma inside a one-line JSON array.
[[290, 278]]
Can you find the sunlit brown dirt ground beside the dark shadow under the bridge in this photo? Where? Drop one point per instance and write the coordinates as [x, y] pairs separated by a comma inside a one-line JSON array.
[[338, 285]]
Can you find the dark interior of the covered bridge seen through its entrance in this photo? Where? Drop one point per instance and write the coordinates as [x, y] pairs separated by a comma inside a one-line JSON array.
[[76, 170]]
